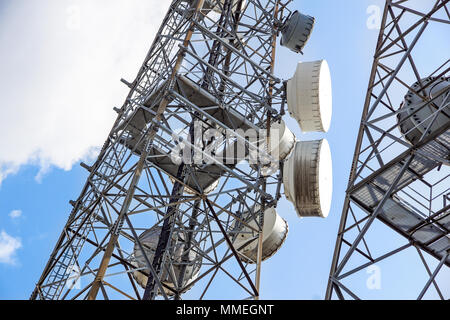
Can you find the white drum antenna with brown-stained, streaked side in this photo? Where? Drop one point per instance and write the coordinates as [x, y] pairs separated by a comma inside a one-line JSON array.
[[308, 178]]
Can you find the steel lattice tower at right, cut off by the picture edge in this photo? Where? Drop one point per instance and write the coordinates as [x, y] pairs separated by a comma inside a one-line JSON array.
[[394, 182]]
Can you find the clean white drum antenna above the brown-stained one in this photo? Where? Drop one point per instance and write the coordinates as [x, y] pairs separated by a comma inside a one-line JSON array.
[[309, 96]]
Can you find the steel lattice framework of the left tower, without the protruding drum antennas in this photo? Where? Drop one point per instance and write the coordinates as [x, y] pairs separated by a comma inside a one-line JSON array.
[[210, 66]]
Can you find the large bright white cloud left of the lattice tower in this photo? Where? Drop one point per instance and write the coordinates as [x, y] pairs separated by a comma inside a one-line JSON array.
[[61, 66]]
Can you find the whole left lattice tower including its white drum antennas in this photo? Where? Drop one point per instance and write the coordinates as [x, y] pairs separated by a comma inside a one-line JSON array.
[[184, 191]]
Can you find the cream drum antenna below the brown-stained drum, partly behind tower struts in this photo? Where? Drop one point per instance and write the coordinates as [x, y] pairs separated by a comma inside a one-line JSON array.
[[275, 231]]
